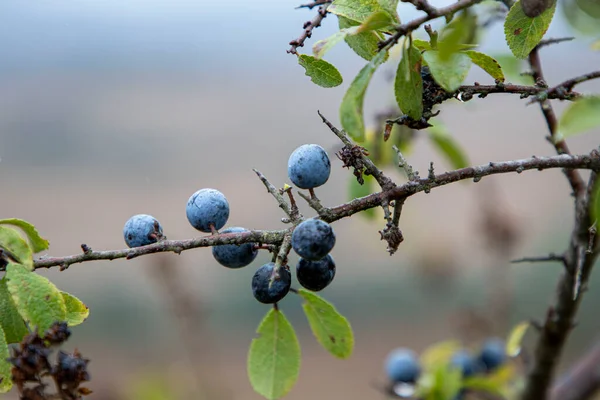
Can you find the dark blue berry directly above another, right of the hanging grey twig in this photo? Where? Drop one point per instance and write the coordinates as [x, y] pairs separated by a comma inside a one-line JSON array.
[[313, 239]]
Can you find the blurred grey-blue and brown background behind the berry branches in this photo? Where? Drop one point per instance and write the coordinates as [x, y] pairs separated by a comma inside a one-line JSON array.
[[114, 108]]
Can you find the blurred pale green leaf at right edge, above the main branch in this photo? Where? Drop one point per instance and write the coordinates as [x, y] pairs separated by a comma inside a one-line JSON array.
[[581, 115]]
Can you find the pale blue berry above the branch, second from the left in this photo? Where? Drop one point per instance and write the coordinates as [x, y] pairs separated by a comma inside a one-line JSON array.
[[207, 207]]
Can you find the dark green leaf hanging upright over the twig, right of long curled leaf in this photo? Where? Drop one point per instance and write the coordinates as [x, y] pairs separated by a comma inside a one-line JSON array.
[[408, 85]]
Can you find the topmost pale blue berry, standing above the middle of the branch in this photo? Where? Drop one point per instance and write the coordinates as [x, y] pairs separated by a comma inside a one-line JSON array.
[[309, 166]]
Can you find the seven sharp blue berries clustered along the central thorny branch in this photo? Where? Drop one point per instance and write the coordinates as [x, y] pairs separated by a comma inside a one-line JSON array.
[[208, 211]]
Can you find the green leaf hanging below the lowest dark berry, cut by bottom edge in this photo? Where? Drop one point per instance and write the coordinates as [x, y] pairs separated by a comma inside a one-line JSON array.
[[274, 357]]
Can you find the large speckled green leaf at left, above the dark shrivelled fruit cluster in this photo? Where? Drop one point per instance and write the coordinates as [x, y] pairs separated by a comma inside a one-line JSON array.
[[38, 301]]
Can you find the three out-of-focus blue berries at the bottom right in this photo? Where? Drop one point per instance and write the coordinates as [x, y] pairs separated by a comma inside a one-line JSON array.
[[403, 368]]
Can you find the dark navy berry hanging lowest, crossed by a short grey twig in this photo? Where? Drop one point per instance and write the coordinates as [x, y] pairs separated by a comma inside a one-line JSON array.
[[267, 292]]
